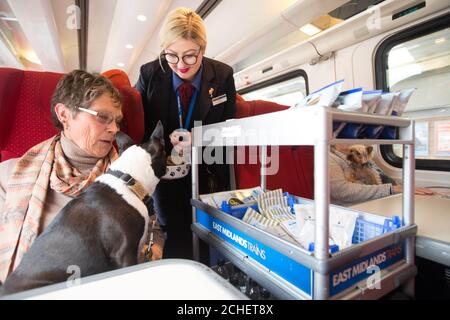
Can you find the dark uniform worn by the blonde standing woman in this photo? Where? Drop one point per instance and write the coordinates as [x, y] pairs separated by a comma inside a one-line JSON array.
[[215, 102]]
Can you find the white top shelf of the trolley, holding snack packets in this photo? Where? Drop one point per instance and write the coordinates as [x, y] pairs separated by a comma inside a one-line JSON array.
[[299, 126]]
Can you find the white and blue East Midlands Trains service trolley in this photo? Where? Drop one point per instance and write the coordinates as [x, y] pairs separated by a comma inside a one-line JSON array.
[[368, 269]]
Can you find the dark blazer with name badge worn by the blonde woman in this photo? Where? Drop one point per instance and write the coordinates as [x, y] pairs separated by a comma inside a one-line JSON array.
[[160, 103]]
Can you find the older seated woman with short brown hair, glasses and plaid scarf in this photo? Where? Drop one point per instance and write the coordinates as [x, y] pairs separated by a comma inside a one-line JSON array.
[[87, 110]]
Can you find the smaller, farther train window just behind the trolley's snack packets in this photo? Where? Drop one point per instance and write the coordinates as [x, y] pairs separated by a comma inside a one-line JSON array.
[[287, 89]]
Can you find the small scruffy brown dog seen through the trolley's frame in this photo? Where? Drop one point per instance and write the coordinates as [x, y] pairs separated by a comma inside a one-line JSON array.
[[361, 170]]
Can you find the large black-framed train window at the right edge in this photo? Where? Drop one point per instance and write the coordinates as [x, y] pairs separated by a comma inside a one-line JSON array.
[[420, 58]]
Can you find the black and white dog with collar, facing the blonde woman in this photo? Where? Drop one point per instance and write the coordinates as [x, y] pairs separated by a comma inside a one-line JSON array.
[[102, 229]]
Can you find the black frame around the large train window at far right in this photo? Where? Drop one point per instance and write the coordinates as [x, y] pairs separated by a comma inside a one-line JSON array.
[[381, 64]]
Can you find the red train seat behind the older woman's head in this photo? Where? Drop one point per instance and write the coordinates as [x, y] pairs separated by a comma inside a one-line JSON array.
[[25, 109]]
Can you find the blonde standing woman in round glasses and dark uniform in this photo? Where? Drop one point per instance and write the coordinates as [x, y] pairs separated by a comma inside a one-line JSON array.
[[178, 88]]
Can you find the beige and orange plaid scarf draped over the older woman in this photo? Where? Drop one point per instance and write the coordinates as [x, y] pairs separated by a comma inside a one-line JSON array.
[[42, 166]]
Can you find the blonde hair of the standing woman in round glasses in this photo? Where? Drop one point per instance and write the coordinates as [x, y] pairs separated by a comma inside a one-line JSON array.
[[183, 23]]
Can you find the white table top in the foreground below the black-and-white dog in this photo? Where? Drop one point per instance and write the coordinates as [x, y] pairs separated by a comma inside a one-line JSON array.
[[169, 279]]
